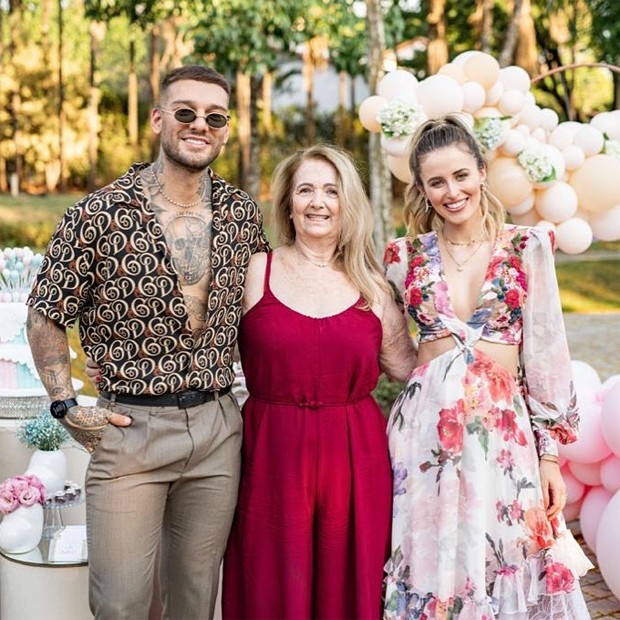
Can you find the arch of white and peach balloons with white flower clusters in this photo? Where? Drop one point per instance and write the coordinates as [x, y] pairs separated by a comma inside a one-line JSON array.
[[564, 176]]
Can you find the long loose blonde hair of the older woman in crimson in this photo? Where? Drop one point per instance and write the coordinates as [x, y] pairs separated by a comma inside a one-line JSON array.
[[355, 253]]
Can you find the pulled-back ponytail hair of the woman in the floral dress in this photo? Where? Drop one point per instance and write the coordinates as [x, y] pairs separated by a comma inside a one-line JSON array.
[[437, 134]]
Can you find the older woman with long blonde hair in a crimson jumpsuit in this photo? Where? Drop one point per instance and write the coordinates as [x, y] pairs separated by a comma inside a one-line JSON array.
[[312, 527]]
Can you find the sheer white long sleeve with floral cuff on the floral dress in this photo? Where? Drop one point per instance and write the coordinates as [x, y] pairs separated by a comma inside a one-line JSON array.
[[545, 357]]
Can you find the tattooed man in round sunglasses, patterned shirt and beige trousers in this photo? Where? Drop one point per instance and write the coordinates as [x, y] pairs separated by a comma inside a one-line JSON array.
[[153, 267]]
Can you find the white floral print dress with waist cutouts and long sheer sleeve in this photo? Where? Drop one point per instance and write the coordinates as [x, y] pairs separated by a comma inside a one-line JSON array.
[[470, 536]]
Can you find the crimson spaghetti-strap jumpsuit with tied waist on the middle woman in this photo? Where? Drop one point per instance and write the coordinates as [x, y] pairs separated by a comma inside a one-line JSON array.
[[312, 529]]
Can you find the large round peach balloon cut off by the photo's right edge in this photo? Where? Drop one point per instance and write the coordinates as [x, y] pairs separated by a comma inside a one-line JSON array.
[[597, 183]]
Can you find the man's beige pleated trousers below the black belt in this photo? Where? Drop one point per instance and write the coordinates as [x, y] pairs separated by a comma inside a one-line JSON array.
[[171, 478]]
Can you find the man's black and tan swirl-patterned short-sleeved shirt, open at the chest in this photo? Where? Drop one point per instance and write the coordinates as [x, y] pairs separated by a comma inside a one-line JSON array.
[[109, 266]]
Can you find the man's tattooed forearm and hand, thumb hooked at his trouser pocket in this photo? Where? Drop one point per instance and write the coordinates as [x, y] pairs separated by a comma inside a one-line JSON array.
[[50, 351]]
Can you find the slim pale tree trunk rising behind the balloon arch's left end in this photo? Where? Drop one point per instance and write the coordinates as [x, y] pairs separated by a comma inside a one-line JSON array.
[[380, 179]]
